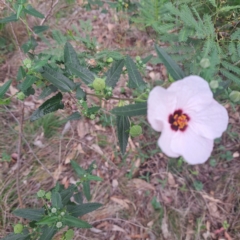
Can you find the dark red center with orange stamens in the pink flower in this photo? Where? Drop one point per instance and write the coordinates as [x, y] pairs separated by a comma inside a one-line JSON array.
[[178, 120]]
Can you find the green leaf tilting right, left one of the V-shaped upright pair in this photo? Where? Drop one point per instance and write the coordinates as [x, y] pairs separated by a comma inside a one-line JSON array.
[[114, 73]]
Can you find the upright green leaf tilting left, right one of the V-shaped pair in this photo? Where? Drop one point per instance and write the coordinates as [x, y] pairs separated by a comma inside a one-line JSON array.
[[135, 78]]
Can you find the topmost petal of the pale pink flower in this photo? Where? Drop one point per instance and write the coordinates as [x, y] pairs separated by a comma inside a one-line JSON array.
[[192, 92]]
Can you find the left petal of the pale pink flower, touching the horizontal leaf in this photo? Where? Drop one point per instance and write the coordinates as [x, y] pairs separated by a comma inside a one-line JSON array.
[[161, 103]]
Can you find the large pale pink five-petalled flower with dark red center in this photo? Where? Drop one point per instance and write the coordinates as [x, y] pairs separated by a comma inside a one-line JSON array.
[[188, 117]]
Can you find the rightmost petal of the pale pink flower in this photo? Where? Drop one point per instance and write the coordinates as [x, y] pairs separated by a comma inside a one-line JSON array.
[[210, 122]]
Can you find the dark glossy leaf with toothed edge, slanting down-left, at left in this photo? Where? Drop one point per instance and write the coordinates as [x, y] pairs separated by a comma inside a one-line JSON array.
[[51, 105]]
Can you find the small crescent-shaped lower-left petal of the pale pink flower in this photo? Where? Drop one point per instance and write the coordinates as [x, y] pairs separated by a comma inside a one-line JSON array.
[[164, 142]]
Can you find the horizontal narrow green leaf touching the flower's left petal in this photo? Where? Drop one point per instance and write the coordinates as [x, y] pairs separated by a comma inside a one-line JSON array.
[[131, 110]]
